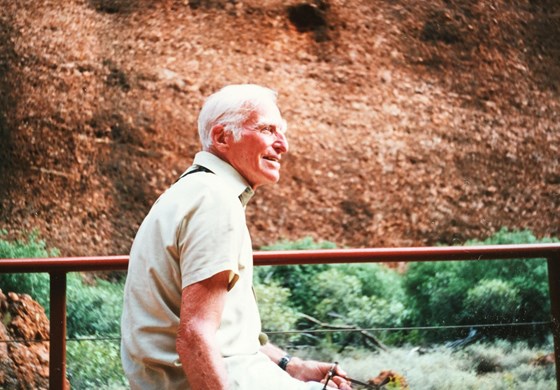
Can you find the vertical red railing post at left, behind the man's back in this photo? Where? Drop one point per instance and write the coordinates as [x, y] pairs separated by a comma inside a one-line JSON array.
[[57, 348]]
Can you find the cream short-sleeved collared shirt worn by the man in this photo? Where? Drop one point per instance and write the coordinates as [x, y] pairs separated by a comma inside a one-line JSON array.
[[195, 230]]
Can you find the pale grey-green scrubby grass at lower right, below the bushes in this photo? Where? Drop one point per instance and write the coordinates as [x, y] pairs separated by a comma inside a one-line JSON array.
[[499, 365]]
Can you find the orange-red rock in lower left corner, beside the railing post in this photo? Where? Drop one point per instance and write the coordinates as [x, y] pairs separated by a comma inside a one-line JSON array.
[[24, 357]]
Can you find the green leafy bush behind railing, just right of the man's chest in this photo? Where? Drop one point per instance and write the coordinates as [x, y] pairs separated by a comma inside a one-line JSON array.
[[363, 295]]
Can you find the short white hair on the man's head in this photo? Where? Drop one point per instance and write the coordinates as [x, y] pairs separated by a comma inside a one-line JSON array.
[[231, 107]]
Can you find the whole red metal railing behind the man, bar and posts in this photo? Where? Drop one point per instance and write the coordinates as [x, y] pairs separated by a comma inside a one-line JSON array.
[[59, 267]]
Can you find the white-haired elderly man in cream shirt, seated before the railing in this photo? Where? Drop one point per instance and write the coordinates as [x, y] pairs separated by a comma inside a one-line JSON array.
[[190, 318]]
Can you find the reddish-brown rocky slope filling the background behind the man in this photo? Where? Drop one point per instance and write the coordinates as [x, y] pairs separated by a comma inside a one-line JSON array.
[[410, 123]]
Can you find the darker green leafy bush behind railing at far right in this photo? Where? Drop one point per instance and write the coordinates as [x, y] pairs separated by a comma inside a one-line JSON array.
[[450, 293]]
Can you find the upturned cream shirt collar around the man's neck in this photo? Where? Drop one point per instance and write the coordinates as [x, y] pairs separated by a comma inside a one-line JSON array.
[[227, 172]]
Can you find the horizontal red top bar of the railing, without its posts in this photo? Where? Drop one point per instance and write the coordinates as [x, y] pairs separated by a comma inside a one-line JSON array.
[[292, 257]]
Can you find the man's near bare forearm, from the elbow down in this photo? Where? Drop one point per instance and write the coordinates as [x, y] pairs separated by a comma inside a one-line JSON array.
[[201, 360]]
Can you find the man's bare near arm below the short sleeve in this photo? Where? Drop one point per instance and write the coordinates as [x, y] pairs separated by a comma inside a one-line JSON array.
[[202, 305]]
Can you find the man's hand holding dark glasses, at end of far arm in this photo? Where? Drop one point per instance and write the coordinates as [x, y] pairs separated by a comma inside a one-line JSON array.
[[311, 370]]
